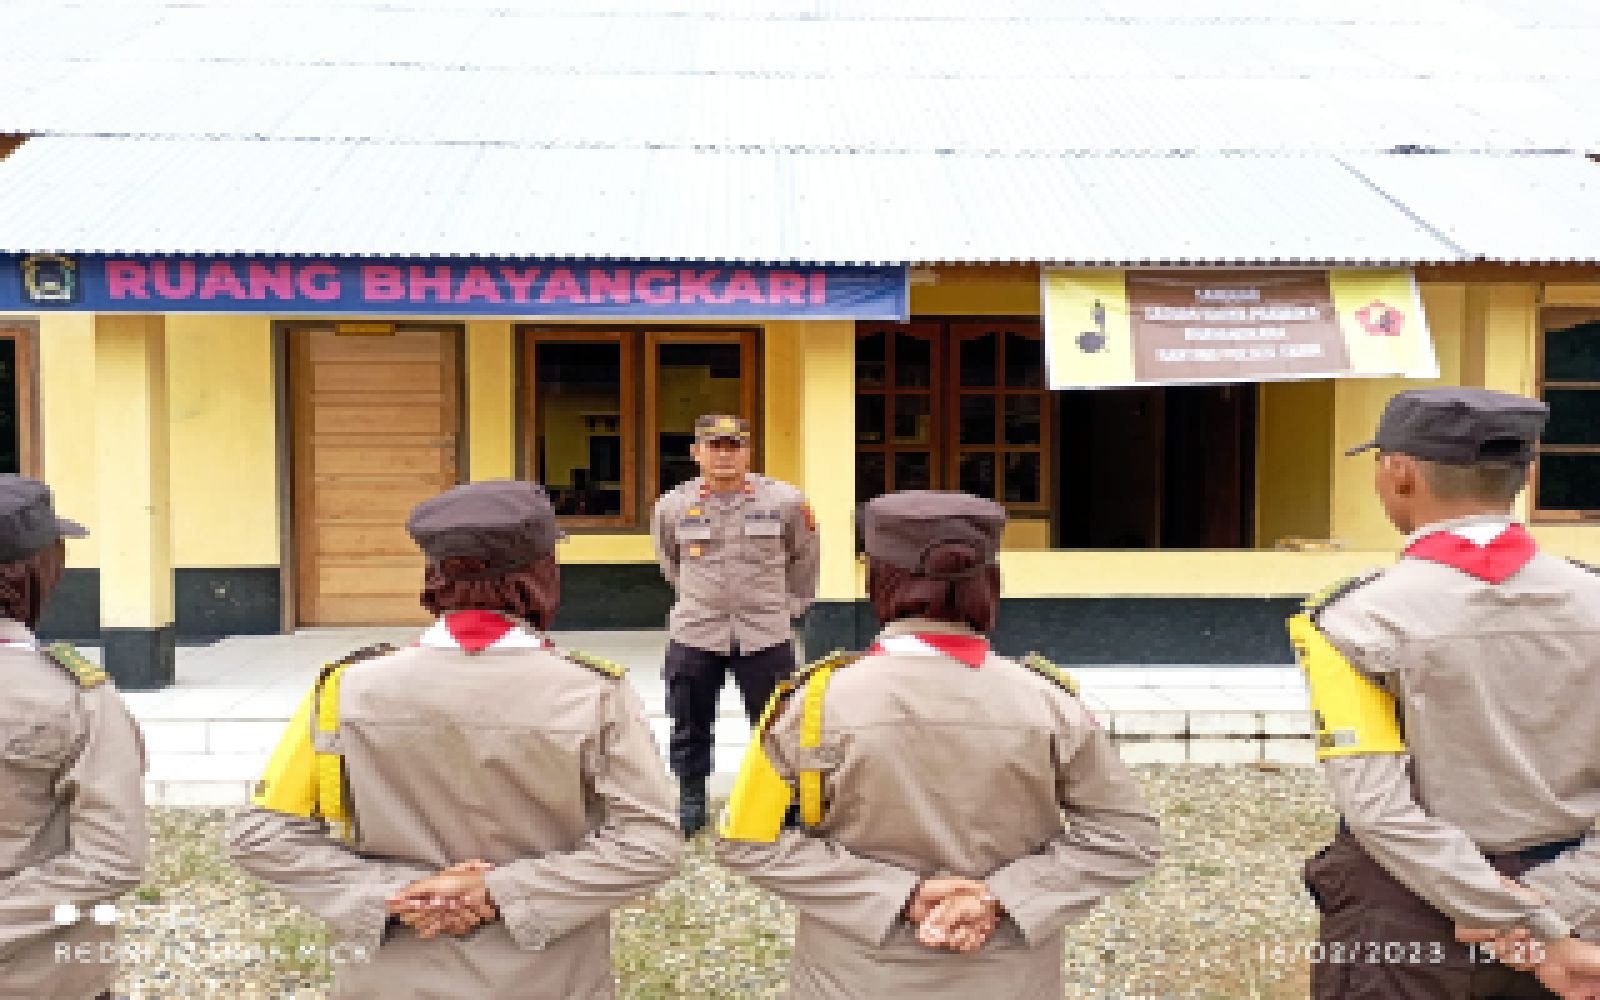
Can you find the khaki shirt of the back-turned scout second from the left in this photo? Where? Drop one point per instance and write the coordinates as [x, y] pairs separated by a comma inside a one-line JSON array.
[[519, 758]]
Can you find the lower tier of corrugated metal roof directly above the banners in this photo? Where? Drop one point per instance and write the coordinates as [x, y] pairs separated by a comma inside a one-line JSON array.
[[194, 196]]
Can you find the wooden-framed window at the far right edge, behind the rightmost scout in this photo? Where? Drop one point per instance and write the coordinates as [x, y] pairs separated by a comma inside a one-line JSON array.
[[1567, 476]]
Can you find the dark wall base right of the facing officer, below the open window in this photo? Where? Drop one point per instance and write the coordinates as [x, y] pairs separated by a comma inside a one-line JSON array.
[[1102, 630]]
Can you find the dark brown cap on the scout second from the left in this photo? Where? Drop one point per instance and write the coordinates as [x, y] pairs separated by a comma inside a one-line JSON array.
[[503, 524]]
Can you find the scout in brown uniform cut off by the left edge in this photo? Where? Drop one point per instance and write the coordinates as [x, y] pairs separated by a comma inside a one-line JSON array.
[[73, 830]]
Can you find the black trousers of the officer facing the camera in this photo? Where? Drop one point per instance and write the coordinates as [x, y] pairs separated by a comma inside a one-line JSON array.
[[695, 681]]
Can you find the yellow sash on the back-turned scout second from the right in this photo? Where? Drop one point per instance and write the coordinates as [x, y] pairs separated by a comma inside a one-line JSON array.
[[761, 796]]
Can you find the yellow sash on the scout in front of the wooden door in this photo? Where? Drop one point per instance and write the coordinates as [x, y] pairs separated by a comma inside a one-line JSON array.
[[306, 775]]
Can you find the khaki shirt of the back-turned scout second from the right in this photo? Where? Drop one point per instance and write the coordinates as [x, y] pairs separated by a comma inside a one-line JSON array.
[[934, 767]]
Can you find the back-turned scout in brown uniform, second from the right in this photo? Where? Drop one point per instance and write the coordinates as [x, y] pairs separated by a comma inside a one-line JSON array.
[[934, 780]]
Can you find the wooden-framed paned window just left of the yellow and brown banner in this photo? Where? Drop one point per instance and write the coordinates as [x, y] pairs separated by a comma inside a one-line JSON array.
[[954, 406]]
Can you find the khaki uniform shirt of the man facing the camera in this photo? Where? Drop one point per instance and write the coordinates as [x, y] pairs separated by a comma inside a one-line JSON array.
[[743, 566]]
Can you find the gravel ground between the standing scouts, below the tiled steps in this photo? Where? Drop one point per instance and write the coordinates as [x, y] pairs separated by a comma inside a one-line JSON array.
[[1210, 924]]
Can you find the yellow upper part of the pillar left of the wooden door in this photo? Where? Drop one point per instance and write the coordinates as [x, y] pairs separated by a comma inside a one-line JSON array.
[[225, 470]]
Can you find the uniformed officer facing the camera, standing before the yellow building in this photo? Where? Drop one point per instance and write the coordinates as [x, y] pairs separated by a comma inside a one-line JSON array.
[[742, 553]]
